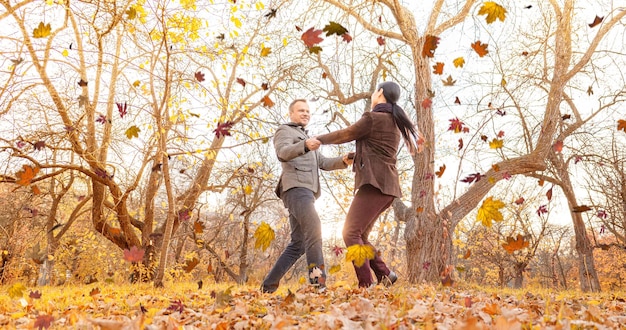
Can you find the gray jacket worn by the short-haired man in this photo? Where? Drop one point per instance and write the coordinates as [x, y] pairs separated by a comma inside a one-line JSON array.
[[300, 166]]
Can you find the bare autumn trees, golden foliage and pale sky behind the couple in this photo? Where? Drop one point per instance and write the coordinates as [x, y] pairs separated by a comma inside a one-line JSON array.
[[135, 138]]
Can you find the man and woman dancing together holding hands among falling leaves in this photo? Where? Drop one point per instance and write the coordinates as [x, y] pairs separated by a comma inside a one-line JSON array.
[[377, 135]]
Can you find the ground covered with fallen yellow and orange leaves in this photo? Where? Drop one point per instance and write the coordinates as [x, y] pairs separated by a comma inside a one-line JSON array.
[[185, 306]]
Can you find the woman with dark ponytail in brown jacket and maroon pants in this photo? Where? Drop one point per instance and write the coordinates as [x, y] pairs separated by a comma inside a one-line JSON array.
[[377, 136]]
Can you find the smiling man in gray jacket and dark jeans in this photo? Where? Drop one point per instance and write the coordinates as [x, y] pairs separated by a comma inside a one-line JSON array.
[[298, 187]]
